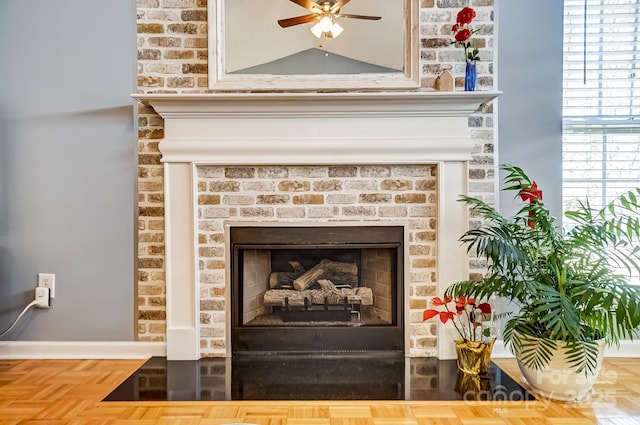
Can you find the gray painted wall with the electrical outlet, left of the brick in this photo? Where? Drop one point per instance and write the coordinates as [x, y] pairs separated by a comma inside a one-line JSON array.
[[68, 167]]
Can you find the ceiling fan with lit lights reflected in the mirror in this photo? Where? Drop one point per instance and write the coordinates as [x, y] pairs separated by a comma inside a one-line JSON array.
[[324, 14]]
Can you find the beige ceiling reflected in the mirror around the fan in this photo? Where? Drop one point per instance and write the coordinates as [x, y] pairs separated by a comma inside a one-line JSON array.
[[253, 36]]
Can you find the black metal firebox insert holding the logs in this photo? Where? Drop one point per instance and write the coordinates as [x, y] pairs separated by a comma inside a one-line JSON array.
[[317, 289]]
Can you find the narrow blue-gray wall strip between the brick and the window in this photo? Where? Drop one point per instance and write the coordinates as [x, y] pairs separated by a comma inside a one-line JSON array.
[[529, 72]]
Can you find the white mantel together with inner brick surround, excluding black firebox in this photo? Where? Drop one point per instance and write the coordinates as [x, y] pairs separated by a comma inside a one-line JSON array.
[[343, 159]]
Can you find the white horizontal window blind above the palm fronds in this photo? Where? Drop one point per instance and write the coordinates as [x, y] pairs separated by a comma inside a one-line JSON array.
[[601, 99]]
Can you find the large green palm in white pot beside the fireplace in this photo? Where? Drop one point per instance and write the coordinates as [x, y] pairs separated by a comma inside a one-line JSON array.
[[569, 288]]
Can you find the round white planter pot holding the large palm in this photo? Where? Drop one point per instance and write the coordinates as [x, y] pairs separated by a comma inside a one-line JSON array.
[[558, 381]]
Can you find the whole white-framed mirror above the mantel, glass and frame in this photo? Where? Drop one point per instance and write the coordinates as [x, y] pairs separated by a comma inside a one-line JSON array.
[[250, 51]]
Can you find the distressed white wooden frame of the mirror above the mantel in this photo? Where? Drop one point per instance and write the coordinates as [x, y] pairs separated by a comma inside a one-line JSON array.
[[219, 80]]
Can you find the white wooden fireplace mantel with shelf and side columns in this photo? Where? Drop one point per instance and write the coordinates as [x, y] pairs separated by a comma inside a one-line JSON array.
[[417, 127]]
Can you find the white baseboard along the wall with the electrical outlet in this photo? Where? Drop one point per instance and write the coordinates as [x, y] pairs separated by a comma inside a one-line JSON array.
[[81, 349]]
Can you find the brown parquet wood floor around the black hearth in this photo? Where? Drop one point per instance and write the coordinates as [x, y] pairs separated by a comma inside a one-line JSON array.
[[69, 392]]
